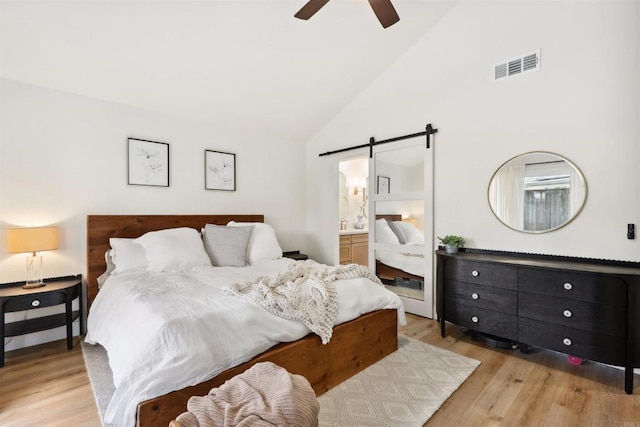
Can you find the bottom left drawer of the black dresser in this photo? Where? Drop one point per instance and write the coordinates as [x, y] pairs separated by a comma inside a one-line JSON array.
[[478, 319]]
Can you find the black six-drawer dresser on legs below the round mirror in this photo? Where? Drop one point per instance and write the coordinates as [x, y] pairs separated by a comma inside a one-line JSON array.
[[583, 307]]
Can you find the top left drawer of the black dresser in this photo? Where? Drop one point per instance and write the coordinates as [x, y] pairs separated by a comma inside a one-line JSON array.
[[482, 273]]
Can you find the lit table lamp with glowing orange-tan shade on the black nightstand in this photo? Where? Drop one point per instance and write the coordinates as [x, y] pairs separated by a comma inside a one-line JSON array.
[[34, 240]]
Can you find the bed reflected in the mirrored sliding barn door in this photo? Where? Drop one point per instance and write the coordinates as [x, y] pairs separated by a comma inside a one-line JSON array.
[[397, 268]]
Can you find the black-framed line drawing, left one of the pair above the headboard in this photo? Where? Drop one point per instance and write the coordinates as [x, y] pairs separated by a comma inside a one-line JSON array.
[[148, 162]]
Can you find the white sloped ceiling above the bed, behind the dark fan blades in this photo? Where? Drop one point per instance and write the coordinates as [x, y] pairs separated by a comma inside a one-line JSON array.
[[240, 63]]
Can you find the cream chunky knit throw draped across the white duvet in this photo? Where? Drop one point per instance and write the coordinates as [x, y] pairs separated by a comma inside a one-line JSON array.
[[304, 292]]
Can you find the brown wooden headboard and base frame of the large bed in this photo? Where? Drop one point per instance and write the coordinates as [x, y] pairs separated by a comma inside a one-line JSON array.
[[354, 345]]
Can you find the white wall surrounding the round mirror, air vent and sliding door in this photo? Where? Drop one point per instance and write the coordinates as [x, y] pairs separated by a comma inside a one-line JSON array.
[[582, 104]]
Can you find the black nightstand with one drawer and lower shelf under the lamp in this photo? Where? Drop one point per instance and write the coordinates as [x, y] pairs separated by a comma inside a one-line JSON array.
[[61, 290]]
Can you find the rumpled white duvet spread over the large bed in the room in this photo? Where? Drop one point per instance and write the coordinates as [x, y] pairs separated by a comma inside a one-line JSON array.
[[167, 331]]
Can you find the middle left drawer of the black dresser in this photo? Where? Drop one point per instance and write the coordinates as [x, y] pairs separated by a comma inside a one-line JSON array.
[[502, 300]]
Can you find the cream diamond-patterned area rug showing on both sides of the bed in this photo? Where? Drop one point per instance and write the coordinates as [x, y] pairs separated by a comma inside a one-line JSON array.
[[404, 389]]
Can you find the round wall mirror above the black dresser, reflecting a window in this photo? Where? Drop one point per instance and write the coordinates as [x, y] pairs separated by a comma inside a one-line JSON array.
[[537, 192]]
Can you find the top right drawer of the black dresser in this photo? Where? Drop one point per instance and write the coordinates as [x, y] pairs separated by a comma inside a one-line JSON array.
[[574, 285]]
